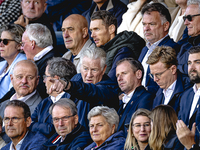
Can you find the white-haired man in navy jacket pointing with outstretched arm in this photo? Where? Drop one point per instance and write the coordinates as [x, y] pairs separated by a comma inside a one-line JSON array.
[[91, 87]]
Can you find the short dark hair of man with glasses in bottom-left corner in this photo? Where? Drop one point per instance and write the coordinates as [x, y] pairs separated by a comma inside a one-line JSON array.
[[21, 104]]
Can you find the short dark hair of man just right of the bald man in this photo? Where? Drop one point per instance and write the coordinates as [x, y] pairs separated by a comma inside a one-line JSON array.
[[107, 18]]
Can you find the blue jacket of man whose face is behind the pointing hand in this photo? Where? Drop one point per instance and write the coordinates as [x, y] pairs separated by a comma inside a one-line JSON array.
[[41, 118]]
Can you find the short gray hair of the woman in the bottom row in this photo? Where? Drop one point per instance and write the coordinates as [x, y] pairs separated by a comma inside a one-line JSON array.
[[109, 114]]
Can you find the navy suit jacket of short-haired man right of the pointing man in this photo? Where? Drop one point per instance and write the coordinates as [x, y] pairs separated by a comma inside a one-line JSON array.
[[141, 99]]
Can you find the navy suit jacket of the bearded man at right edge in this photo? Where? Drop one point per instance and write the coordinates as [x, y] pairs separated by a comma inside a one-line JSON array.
[[186, 100]]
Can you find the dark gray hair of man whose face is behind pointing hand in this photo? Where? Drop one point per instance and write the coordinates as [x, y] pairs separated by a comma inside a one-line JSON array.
[[61, 67]]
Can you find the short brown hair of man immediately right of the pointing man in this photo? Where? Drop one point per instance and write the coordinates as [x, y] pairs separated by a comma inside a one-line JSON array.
[[135, 64]]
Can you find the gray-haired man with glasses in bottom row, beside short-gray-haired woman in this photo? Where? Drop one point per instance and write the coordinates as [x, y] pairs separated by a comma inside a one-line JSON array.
[[70, 134]]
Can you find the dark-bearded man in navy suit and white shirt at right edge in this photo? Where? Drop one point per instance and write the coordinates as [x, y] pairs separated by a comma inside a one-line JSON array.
[[189, 101]]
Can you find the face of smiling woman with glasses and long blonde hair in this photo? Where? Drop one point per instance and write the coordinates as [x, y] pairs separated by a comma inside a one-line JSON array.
[[141, 128]]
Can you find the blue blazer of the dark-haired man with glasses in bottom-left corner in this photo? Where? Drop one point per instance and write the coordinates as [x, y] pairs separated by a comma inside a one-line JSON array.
[[33, 141]]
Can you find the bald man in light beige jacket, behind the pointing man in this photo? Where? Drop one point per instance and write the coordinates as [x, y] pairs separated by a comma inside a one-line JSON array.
[[76, 38]]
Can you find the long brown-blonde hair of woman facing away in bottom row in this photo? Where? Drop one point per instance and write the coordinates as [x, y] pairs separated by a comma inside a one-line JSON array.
[[164, 123]]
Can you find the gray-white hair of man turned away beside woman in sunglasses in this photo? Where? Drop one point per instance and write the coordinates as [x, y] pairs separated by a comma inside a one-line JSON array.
[[40, 34]]
